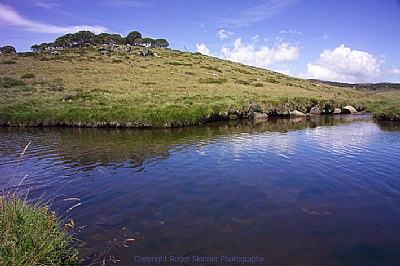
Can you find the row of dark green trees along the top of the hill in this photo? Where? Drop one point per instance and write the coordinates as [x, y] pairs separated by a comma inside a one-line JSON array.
[[87, 38]]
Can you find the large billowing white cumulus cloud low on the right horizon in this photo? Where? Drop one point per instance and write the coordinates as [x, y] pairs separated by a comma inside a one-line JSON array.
[[344, 65]]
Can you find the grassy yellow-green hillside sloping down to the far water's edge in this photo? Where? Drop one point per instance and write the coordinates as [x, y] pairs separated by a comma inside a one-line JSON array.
[[83, 87]]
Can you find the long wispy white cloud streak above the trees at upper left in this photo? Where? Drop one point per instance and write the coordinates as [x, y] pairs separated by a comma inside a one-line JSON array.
[[9, 17]]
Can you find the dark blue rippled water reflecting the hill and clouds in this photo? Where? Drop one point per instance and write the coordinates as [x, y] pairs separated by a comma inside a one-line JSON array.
[[295, 192]]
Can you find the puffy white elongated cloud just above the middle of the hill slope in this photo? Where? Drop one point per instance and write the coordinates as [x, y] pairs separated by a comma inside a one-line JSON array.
[[262, 57]]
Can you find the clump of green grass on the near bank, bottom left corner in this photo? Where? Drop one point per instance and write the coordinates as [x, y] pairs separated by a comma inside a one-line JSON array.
[[31, 235]]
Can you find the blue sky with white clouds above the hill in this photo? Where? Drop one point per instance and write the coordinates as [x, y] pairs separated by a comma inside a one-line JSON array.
[[348, 41]]
